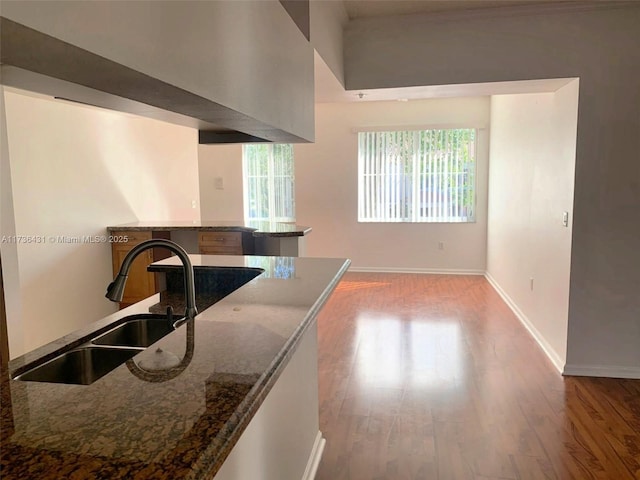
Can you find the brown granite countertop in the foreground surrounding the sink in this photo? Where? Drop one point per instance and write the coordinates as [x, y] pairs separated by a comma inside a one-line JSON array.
[[124, 427]]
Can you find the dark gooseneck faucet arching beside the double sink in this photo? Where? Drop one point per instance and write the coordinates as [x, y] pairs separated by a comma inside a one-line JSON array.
[[115, 290]]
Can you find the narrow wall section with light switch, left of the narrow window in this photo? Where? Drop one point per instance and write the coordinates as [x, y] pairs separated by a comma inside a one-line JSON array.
[[221, 162]]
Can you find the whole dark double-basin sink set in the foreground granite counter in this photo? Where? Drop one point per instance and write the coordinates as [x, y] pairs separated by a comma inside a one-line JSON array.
[[94, 359]]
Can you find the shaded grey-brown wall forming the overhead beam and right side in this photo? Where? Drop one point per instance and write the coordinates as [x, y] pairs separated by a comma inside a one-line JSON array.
[[598, 43]]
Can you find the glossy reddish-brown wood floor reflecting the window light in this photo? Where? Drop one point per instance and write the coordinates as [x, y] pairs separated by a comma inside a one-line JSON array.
[[433, 377]]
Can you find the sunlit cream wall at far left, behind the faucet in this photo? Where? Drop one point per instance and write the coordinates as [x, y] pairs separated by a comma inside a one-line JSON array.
[[74, 171]]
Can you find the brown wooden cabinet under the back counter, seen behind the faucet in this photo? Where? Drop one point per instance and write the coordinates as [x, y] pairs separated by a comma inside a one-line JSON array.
[[141, 283]]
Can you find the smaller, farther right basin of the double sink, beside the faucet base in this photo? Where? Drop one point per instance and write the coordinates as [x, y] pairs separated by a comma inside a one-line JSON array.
[[139, 331]]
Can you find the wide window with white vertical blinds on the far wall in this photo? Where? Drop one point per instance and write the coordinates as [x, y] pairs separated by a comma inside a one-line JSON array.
[[417, 176]]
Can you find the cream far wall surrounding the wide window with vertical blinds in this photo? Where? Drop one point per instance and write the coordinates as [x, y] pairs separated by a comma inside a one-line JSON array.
[[327, 196]]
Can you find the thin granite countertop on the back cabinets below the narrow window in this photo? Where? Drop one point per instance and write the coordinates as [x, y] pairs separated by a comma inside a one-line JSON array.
[[258, 229]]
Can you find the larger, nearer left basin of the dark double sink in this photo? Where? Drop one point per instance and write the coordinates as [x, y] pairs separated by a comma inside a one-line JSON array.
[[81, 366]]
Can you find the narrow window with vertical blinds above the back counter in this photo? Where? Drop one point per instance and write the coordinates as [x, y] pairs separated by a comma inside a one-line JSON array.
[[268, 182]]
